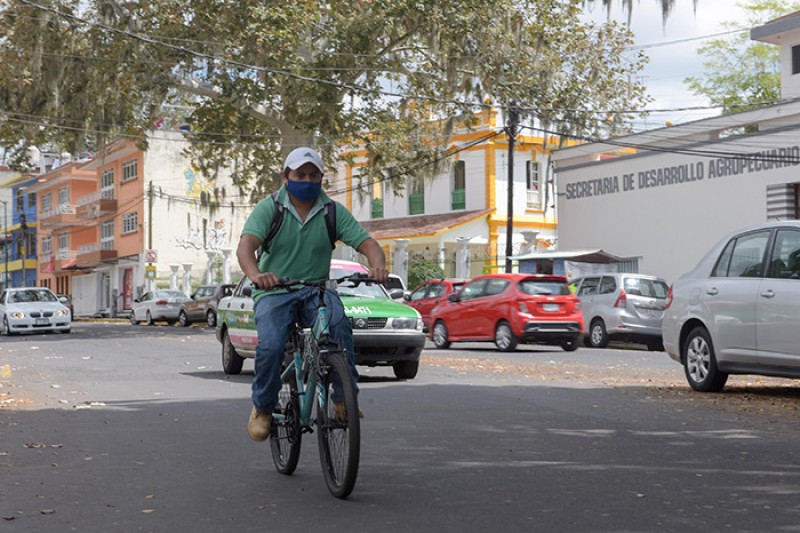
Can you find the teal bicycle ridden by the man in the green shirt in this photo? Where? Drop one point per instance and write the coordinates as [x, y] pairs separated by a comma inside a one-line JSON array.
[[315, 362]]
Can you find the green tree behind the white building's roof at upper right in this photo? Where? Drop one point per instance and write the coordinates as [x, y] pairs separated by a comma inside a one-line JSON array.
[[740, 73]]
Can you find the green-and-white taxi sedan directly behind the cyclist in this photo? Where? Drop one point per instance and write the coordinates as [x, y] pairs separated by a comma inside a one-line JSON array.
[[385, 332]]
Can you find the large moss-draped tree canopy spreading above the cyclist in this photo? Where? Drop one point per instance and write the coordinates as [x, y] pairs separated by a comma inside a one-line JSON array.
[[259, 78]]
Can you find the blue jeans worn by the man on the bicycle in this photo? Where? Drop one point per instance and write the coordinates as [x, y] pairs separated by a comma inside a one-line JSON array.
[[275, 314]]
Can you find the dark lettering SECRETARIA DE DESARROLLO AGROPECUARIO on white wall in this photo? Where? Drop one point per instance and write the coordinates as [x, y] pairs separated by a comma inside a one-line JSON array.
[[711, 168]]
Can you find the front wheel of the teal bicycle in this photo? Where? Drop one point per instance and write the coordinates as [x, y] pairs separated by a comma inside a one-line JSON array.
[[338, 427]]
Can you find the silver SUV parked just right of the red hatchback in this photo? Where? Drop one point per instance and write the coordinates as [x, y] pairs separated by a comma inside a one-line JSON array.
[[622, 306]]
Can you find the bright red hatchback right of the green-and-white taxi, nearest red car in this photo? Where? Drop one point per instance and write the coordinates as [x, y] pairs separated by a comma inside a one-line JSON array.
[[509, 309]]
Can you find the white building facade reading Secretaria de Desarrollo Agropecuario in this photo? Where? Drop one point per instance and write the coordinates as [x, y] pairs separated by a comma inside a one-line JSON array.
[[667, 195]]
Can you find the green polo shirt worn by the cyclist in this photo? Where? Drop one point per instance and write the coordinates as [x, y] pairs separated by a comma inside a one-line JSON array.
[[301, 250]]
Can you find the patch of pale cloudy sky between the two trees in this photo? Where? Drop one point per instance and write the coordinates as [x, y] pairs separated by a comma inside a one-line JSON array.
[[670, 63]]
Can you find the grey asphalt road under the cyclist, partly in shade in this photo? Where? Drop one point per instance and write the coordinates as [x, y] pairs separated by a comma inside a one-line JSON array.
[[123, 428]]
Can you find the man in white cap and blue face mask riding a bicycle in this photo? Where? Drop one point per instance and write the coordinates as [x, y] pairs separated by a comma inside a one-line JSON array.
[[300, 249]]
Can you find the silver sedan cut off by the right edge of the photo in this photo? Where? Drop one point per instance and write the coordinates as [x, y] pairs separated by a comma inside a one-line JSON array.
[[738, 310]]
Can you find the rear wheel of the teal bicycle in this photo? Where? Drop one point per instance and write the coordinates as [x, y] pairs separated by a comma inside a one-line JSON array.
[[286, 436]]
